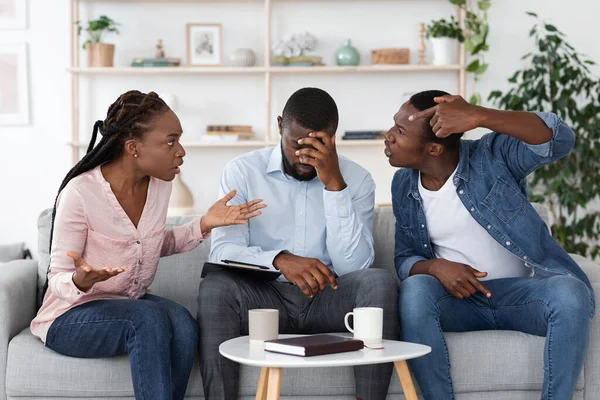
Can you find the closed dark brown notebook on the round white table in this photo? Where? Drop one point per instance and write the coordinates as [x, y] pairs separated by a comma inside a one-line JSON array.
[[313, 345]]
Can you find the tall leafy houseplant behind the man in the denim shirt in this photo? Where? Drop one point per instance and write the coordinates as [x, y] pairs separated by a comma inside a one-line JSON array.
[[558, 79]]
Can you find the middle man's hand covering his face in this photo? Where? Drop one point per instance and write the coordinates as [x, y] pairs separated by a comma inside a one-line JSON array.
[[322, 155]]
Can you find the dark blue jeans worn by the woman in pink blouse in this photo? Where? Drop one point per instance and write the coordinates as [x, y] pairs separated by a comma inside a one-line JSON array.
[[159, 335]]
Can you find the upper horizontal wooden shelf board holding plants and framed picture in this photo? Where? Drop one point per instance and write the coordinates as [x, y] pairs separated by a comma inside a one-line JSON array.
[[259, 70]]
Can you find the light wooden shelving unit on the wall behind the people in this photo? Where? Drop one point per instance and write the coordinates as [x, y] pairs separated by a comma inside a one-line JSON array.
[[267, 71]]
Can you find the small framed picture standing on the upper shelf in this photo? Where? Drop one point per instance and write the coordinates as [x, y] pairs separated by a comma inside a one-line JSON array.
[[204, 45]]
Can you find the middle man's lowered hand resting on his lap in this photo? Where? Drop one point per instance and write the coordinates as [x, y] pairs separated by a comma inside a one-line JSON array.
[[309, 274]]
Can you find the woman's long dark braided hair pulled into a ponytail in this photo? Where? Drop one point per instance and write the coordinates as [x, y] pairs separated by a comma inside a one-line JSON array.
[[127, 118]]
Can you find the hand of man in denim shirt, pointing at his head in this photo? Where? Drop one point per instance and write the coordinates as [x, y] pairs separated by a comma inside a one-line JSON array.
[[451, 115]]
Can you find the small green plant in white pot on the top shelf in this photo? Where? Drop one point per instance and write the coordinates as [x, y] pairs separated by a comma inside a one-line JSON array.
[[444, 35]]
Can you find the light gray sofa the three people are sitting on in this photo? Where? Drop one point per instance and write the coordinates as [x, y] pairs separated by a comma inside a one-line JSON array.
[[485, 365]]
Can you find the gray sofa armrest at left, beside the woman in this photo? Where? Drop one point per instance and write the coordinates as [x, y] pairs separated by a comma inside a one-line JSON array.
[[18, 283]]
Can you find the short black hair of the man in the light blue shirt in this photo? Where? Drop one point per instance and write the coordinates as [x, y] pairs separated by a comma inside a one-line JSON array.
[[313, 109]]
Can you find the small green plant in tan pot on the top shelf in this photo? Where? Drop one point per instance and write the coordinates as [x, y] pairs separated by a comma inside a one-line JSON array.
[[99, 54]]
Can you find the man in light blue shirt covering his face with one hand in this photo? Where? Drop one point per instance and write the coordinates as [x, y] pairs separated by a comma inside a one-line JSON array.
[[317, 230]]
